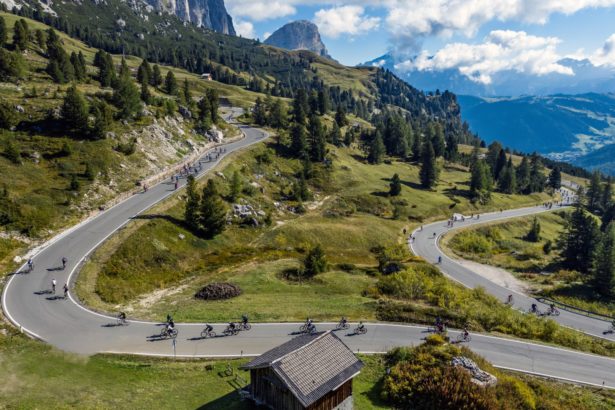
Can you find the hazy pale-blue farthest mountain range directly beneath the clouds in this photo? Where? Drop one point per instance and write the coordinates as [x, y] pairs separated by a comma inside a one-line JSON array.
[[588, 78]]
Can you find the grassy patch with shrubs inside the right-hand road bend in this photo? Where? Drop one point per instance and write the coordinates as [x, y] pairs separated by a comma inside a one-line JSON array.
[[503, 245]]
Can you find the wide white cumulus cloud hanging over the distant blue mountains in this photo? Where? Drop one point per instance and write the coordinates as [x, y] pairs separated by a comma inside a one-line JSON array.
[[501, 50]]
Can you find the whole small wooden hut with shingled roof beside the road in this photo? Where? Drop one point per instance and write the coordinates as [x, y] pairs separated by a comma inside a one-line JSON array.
[[312, 372]]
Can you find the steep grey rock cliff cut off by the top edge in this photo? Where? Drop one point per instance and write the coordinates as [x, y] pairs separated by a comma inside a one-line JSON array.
[[210, 14]]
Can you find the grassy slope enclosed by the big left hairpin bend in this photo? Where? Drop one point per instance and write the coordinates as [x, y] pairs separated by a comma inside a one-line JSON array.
[[350, 214]]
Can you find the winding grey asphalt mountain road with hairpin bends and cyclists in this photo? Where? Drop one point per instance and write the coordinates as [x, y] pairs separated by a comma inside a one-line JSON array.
[[67, 325]]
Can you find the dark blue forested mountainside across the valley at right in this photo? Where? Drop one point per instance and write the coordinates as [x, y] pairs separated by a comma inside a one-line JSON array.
[[560, 126]]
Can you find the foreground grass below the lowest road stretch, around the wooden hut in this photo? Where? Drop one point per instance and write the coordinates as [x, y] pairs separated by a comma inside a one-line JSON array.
[[37, 375]]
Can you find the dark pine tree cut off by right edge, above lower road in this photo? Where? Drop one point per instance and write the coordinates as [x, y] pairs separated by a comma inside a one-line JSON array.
[[603, 271]]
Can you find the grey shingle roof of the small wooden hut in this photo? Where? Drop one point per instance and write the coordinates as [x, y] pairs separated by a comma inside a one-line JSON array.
[[311, 365]]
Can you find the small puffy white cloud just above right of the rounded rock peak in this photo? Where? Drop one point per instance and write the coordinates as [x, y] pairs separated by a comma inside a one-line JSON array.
[[345, 20]]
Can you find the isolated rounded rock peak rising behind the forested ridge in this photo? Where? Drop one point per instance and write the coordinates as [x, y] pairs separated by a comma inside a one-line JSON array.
[[299, 35]]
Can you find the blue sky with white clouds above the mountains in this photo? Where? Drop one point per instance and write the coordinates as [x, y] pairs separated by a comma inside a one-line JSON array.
[[478, 37]]
